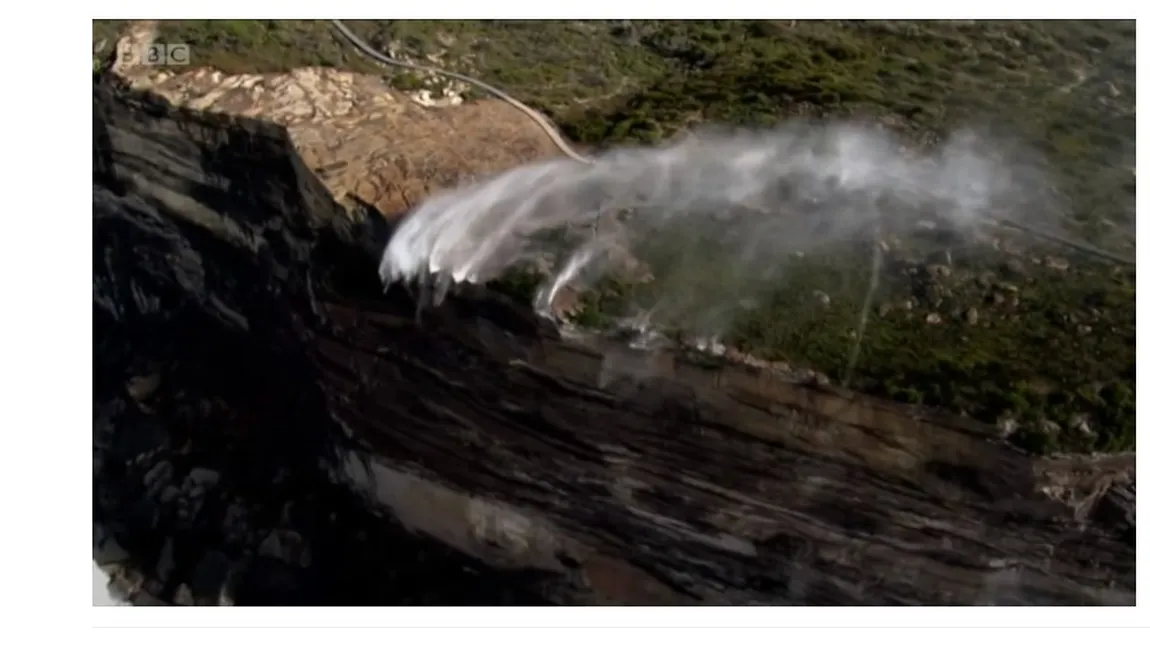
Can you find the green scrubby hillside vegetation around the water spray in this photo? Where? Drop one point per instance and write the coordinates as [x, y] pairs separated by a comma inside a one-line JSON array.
[[1051, 345]]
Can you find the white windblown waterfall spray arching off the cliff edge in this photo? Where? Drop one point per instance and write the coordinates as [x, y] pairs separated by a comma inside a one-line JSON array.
[[715, 217]]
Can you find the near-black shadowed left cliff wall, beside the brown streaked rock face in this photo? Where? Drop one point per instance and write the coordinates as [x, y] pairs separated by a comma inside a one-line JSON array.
[[211, 434]]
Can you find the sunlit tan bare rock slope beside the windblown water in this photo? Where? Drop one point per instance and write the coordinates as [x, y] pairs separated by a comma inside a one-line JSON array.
[[366, 142]]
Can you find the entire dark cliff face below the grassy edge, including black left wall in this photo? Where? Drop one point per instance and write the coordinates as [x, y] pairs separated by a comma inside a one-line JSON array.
[[273, 428]]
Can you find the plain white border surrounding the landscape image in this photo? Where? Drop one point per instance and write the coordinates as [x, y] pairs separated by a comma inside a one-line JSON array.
[[47, 278]]
